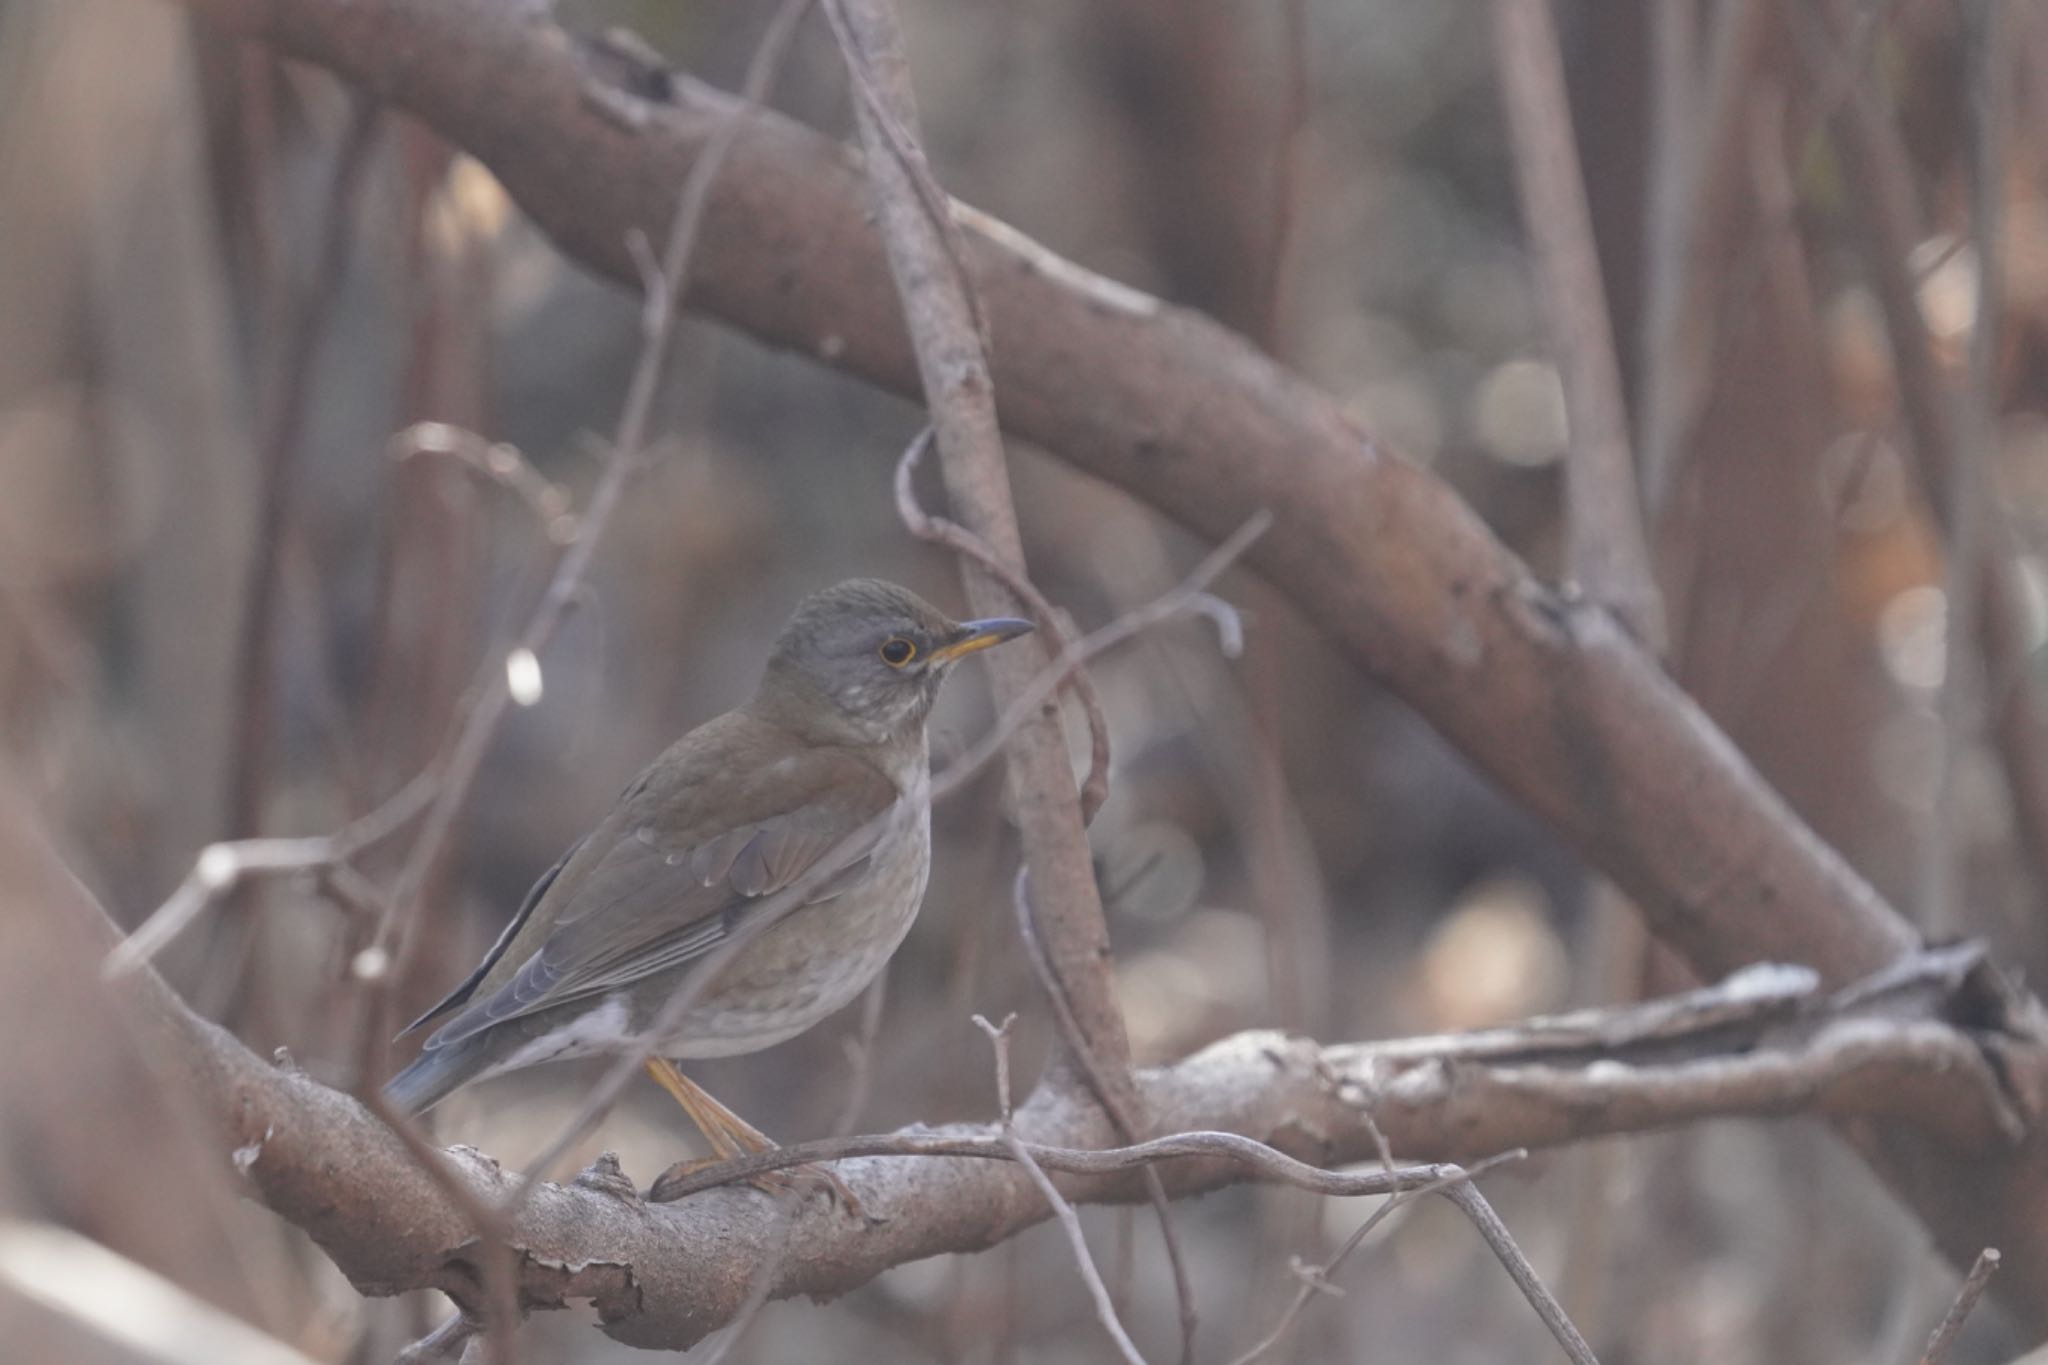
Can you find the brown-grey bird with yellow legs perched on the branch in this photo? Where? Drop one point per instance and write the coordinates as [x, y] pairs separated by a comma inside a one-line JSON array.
[[798, 822]]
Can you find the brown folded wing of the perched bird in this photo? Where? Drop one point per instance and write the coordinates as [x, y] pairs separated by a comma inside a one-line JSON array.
[[658, 897]]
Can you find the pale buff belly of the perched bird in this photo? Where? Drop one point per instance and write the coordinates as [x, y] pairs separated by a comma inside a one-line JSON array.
[[812, 963]]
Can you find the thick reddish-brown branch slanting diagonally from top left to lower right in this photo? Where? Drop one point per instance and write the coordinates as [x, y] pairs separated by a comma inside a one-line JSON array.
[[1555, 701]]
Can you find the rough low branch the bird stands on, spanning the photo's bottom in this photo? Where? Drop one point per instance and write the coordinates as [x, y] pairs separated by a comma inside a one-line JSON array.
[[1246, 1108]]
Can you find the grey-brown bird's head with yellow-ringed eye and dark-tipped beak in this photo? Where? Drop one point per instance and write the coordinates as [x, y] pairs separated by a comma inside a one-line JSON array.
[[867, 658]]
